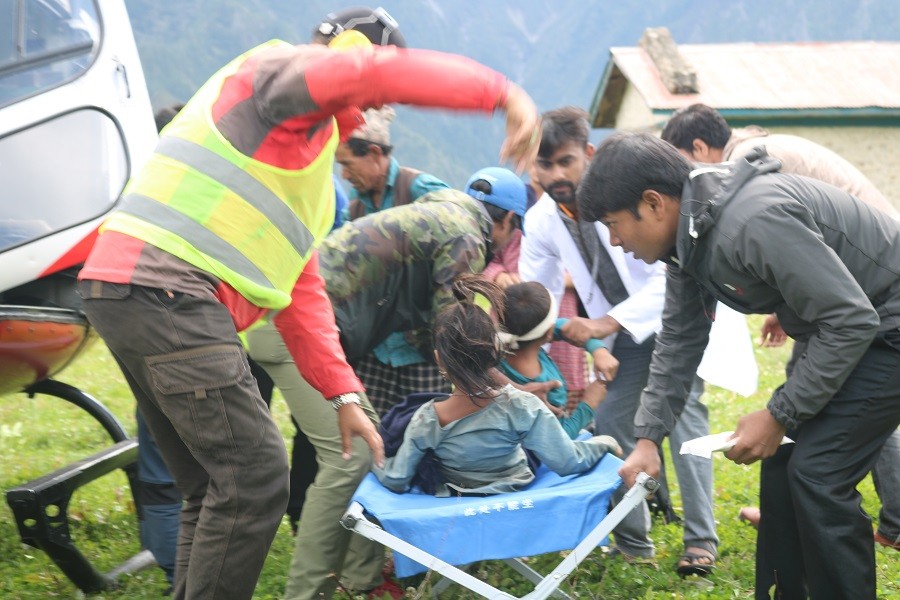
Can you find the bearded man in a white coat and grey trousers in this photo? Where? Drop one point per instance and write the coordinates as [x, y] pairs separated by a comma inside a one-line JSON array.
[[622, 299]]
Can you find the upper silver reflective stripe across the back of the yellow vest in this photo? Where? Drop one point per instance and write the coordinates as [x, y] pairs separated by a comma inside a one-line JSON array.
[[241, 183]]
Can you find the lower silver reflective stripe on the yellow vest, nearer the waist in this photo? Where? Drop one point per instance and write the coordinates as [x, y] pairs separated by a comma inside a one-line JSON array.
[[194, 233]]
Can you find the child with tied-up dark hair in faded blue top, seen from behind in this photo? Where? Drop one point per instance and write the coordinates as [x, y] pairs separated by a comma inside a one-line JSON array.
[[480, 432]]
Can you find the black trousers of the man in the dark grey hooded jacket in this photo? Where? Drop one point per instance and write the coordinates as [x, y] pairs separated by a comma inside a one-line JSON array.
[[814, 539]]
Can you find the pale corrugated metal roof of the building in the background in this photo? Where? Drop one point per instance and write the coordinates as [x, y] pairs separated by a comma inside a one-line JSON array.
[[815, 76]]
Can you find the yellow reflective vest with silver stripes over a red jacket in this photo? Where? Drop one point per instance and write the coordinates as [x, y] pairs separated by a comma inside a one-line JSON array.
[[251, 224]]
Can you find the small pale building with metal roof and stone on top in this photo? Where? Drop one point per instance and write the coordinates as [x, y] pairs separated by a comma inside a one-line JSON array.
[[845, 96]]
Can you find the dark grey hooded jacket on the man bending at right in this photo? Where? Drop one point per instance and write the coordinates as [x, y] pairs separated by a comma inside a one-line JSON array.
[[761, 241]]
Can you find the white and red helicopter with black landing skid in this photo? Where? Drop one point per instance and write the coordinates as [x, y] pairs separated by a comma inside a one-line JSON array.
[[75, 123]]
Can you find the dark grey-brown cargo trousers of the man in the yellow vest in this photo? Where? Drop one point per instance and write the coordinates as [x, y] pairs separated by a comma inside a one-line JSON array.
[[188, 371]]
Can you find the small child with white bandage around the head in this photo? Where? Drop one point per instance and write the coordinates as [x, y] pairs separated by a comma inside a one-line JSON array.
[[530, 320]]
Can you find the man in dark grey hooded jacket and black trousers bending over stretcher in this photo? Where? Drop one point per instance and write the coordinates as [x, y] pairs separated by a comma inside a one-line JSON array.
[[827, 265]]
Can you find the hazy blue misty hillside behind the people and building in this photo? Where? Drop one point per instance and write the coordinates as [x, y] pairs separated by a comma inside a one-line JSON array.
[[555, 49]]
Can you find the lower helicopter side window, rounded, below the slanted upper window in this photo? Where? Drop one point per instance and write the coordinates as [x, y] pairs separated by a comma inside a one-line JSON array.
[[59, 174]]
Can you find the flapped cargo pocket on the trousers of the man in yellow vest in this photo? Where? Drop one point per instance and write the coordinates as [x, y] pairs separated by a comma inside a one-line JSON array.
[[210, 397]]
